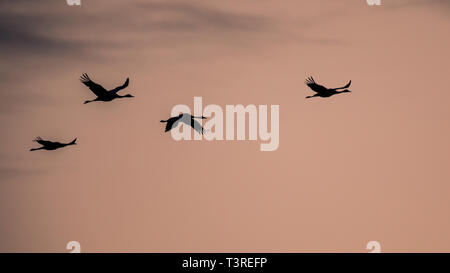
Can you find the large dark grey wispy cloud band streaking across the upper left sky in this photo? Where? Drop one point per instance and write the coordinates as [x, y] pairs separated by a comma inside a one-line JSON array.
[[37, 32]]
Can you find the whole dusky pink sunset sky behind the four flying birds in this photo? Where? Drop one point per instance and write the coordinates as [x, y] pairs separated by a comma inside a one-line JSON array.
[[371, 165]]
